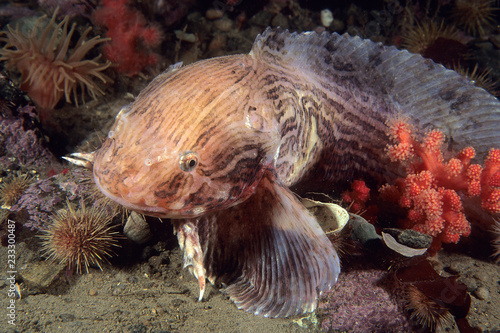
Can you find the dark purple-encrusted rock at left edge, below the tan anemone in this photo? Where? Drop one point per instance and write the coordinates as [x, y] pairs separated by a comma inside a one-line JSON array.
[[20, 142]]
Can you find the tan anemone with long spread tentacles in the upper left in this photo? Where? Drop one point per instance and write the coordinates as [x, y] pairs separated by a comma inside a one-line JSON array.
[[49, 69]]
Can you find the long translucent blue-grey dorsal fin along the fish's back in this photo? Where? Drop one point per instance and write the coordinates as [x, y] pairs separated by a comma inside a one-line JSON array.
[[423, 91]]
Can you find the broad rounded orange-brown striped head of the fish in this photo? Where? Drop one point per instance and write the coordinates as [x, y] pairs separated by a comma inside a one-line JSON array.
[[181, 150]]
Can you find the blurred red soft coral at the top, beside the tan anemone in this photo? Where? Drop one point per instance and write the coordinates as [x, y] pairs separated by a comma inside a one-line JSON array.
[[132, 39]]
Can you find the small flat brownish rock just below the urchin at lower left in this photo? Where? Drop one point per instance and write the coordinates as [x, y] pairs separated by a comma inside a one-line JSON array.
[[41, 275]]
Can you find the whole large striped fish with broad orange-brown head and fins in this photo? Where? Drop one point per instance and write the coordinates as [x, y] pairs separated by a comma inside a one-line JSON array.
[[216, 145]]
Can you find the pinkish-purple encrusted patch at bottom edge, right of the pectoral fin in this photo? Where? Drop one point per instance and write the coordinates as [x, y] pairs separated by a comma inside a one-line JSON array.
[[360, 302]]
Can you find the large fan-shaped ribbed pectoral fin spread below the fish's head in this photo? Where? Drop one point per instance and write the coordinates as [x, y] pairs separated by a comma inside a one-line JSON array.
[[270, 254]]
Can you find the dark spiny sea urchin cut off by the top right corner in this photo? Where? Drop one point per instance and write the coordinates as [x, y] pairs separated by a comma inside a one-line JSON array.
[[475, 15]]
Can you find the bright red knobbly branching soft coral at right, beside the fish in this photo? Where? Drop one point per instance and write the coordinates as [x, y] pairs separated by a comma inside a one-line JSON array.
[[431, 189]]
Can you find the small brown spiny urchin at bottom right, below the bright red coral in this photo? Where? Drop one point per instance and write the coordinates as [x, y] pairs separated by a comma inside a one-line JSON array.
[[426, 311]]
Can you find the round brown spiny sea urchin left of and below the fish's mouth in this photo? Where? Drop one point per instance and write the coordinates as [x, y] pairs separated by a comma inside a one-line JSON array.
[[80, 238]]
